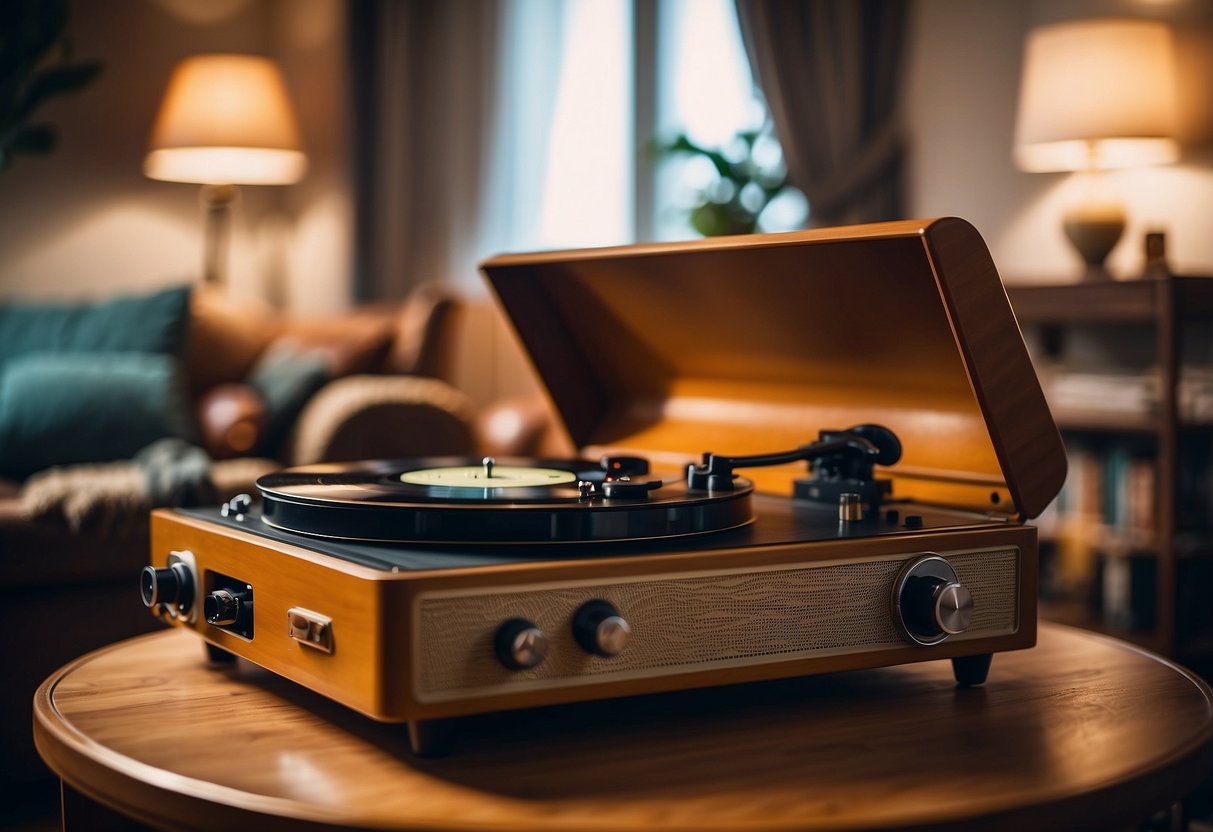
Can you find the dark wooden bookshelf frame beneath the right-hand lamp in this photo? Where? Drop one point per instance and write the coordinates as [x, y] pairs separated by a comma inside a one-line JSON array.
[[1170, 310]]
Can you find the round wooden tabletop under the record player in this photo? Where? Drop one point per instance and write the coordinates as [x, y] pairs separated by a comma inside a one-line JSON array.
[[1079, 733]]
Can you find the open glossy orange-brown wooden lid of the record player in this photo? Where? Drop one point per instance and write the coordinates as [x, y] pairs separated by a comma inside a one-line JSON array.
[[753, 345]]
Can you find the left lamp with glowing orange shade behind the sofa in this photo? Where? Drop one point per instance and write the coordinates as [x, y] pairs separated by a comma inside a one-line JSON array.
[[225, 121]]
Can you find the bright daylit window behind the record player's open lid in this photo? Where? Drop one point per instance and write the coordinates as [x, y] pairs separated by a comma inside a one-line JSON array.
[[570, 156]]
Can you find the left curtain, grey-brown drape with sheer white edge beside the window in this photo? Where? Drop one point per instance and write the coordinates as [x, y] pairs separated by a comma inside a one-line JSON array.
[[487, 127]]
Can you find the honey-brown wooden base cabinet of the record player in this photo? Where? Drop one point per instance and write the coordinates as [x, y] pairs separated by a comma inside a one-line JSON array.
[[381, 645]]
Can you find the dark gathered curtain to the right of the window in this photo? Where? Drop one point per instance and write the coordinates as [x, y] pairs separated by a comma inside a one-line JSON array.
[[832, 72]]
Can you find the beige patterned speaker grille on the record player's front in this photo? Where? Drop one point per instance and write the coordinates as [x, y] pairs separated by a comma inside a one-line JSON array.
[[691, 623]]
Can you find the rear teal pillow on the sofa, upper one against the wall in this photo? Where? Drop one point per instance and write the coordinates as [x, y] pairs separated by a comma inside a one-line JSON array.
[[155, 323]]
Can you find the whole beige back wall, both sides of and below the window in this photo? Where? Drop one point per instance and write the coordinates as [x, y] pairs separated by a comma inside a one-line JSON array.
[[87, 221]]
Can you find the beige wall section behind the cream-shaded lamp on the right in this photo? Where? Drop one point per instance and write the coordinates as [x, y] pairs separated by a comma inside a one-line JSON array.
[[961, 95]]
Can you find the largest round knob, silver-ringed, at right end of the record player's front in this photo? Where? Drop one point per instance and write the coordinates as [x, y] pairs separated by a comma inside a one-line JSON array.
[[930, 603]]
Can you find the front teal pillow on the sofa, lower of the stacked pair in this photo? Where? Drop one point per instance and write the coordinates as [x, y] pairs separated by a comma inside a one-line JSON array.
[[72, 408]]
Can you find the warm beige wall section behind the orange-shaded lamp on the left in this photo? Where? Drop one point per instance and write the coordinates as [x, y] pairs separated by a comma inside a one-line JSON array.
[[86, 220]]
